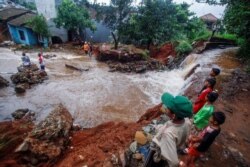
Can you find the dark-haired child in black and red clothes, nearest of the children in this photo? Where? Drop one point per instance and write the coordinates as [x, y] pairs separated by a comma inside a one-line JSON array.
[[200, 143]]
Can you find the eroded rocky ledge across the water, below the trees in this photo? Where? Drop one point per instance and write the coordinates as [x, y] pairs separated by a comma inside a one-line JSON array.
[[128, 59]]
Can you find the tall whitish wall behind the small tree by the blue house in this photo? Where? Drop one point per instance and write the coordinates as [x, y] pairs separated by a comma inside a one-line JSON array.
[[48, 9]]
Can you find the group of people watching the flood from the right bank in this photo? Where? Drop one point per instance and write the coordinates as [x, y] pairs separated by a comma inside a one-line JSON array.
[[191, 130]]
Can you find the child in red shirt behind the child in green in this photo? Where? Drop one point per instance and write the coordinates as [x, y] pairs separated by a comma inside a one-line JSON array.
[[201, 100]]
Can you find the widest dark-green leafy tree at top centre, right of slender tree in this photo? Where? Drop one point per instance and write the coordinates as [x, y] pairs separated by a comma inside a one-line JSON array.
[[158, 21]]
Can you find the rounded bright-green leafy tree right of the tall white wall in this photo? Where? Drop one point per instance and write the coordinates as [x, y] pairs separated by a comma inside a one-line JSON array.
[[73, 18]]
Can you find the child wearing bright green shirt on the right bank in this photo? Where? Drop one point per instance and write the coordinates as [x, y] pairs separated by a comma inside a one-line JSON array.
[[201, 119]]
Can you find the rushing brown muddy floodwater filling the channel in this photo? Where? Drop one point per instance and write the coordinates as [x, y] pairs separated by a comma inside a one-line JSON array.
[[97, 95]]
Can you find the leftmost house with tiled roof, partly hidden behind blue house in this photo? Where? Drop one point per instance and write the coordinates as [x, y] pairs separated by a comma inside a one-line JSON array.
[[7, 14]]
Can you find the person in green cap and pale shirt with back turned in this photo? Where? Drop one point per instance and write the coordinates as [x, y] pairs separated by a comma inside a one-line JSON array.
[[173, 134]]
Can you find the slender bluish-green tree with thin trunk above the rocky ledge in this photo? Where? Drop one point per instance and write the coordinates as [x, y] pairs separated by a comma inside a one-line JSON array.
[[115, 17]]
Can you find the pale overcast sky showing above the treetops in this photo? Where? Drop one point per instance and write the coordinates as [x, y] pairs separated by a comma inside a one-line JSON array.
[[198, 8]]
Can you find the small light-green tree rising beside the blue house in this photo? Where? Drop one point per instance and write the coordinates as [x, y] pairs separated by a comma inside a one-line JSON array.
[[39, 25]]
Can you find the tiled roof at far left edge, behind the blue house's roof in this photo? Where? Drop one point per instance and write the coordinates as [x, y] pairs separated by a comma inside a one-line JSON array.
[[8, 13]]
